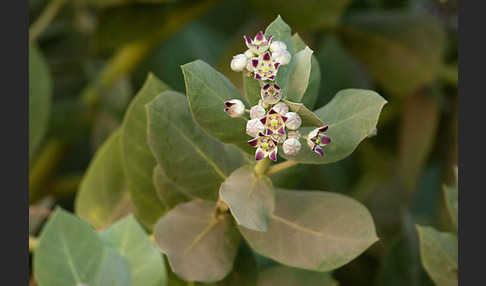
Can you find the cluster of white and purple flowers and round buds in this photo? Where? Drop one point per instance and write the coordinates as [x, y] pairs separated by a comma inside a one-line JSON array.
[[270, 124]]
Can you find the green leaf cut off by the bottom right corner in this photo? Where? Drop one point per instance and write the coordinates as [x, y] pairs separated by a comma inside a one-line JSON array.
[[439, 254]]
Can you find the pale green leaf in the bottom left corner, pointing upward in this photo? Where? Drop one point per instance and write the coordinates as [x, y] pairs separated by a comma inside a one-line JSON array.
[[70, 252]]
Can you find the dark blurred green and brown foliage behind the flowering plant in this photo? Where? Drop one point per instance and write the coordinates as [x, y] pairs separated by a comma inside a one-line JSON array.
[[89, 57]]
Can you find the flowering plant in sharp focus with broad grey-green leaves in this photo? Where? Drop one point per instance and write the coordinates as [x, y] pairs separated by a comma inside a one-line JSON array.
[[199, 172]]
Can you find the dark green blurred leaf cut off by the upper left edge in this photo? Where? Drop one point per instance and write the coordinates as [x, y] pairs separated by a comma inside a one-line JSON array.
[[40, 93]]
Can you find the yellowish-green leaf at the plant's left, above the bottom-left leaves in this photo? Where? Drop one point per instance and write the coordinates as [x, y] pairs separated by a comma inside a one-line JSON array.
[[103, 196]]
